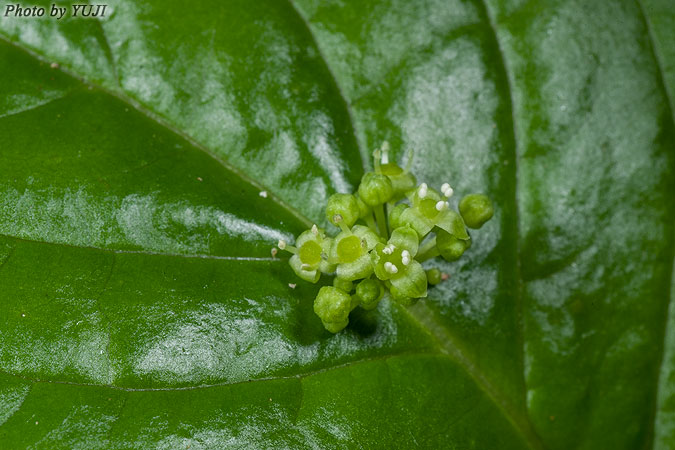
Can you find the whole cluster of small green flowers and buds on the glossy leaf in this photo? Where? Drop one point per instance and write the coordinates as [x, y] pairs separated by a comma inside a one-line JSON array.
[[387, 229]]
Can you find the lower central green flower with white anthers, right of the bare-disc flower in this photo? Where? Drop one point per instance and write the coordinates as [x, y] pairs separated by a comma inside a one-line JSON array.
[[395, 263]]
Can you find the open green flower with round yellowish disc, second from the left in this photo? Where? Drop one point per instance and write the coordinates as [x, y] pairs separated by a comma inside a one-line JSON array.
[[349, 252]]
